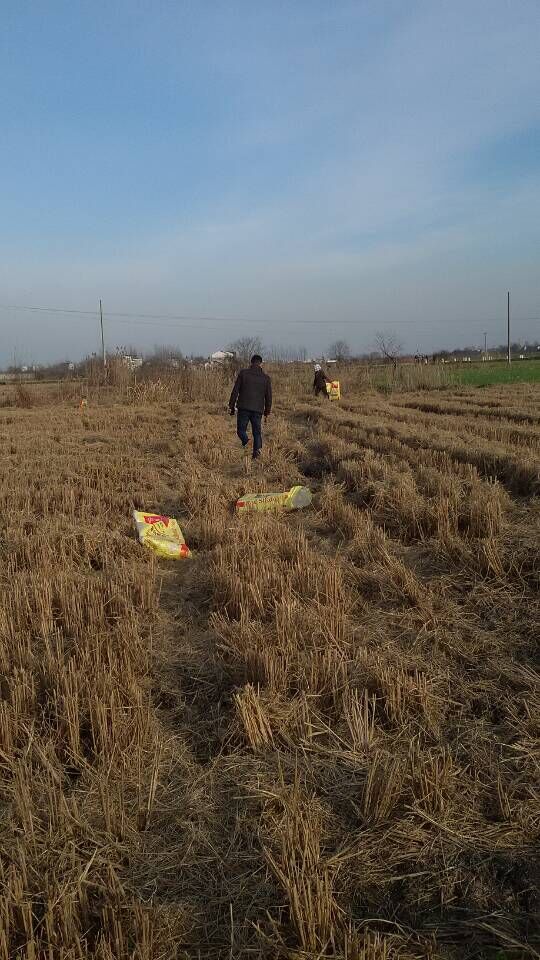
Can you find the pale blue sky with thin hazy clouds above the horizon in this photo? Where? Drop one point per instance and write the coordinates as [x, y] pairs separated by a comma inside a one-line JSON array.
[[310, 170]]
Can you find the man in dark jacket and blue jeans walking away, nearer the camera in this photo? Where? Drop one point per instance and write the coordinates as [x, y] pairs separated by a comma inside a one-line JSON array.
[[252, 397]]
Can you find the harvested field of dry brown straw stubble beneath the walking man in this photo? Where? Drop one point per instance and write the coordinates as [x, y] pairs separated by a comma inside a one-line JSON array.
[[317, 738]]
